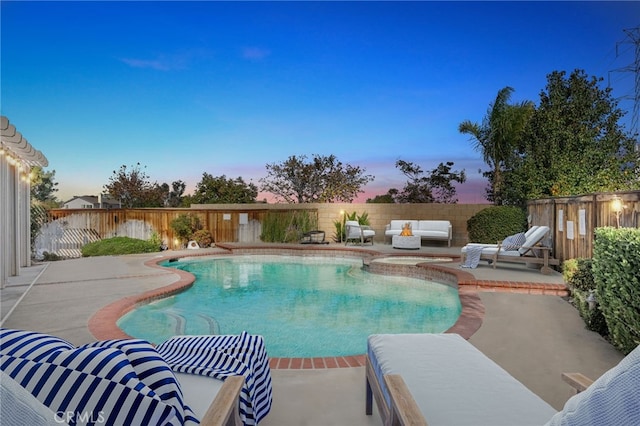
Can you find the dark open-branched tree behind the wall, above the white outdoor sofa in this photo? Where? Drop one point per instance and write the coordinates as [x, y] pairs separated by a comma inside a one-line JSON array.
[[435, 187]]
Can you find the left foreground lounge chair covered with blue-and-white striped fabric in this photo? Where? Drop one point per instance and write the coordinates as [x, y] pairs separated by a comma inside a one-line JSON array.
[[217, 380]]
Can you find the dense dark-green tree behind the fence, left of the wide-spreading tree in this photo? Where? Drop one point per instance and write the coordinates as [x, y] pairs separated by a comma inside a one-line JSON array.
[[220, 190]]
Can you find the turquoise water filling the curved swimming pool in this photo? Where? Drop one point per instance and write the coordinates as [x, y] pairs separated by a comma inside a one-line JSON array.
[[302, 306]]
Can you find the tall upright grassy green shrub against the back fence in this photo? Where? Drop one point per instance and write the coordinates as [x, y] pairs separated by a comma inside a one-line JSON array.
[[287, 226]]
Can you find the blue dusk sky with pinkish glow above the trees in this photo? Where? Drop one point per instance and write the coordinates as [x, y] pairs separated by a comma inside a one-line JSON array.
[[224, 88]]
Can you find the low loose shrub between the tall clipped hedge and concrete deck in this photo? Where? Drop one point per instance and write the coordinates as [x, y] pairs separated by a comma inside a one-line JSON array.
[[578, 276]]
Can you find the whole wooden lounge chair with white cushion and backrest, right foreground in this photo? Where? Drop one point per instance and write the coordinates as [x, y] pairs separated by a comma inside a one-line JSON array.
[[444, 380]]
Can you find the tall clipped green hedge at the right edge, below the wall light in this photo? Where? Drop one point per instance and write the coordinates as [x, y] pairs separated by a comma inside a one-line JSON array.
[[616, 262]]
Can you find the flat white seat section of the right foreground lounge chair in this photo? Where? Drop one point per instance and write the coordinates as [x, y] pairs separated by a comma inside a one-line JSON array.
[[446, 381]]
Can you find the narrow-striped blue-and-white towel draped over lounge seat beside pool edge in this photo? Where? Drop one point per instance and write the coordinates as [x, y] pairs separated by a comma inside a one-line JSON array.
[[223, 356]]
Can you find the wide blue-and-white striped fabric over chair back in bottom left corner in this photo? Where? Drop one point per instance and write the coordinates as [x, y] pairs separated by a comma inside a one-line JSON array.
[[96, 383]]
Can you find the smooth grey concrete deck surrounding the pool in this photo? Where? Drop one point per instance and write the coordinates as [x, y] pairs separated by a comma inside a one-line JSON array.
[[534, 337]]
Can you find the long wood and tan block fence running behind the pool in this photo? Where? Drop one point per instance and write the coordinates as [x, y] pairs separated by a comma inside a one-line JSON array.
[[238, 222]]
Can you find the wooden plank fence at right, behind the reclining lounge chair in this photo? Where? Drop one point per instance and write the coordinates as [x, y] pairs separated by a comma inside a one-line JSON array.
[[573, 219]]
